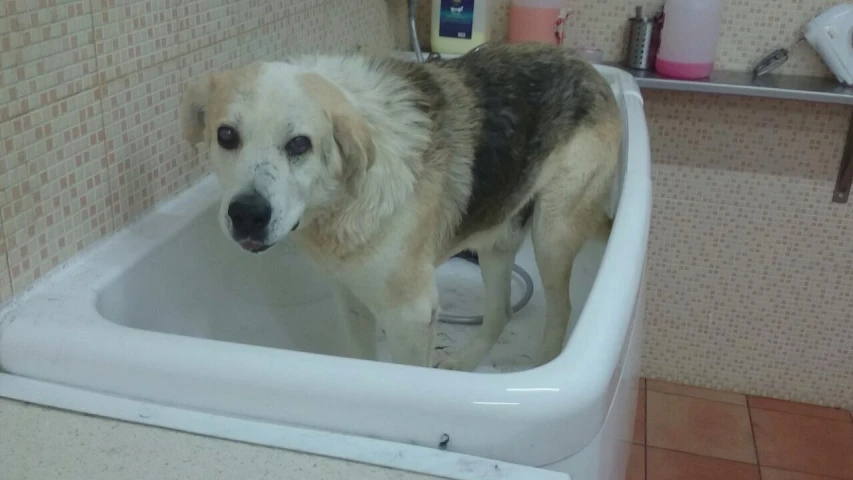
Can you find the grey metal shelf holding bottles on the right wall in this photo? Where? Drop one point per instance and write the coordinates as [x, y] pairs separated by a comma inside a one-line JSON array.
[[786, 87]]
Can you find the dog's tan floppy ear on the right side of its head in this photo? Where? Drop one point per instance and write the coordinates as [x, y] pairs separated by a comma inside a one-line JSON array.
[[351, 130]]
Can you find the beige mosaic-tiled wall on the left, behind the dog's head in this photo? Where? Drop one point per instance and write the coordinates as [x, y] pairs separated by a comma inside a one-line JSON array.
[[89, 91]]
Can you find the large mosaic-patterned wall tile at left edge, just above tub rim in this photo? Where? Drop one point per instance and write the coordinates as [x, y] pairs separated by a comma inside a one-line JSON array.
[[55, 192]]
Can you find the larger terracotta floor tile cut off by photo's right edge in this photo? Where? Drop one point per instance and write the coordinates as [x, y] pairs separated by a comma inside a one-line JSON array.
[[804, 444]]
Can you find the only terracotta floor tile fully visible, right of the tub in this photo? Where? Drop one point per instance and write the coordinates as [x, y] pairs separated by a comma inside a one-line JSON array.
[[699, 426]]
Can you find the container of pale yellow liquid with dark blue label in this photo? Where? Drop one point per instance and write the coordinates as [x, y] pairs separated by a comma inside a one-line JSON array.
[[459, 25]]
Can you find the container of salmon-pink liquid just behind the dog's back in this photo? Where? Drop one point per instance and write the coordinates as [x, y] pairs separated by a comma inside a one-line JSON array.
[[537, 21]]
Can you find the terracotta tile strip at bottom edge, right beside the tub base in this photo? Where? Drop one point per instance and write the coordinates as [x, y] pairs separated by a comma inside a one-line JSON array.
[[670, 465]]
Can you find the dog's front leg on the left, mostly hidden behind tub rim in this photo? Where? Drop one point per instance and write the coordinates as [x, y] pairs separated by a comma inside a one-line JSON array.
[[357, 325]]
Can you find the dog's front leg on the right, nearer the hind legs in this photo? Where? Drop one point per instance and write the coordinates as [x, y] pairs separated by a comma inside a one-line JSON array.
[[410, 327]]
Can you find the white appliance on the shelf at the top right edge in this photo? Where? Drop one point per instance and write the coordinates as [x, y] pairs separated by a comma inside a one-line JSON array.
[[831, 34]]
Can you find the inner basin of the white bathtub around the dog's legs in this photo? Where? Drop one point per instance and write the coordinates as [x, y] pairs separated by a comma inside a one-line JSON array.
[[199, 284]]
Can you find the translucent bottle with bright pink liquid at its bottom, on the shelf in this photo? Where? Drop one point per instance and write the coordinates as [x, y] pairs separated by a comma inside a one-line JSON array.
[[689, 37]]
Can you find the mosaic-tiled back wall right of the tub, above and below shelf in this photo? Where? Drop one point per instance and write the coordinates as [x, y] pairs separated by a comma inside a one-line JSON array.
[[751, 265]]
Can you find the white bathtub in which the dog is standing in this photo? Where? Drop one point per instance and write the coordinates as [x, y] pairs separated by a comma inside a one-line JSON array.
[[169, 313]]
